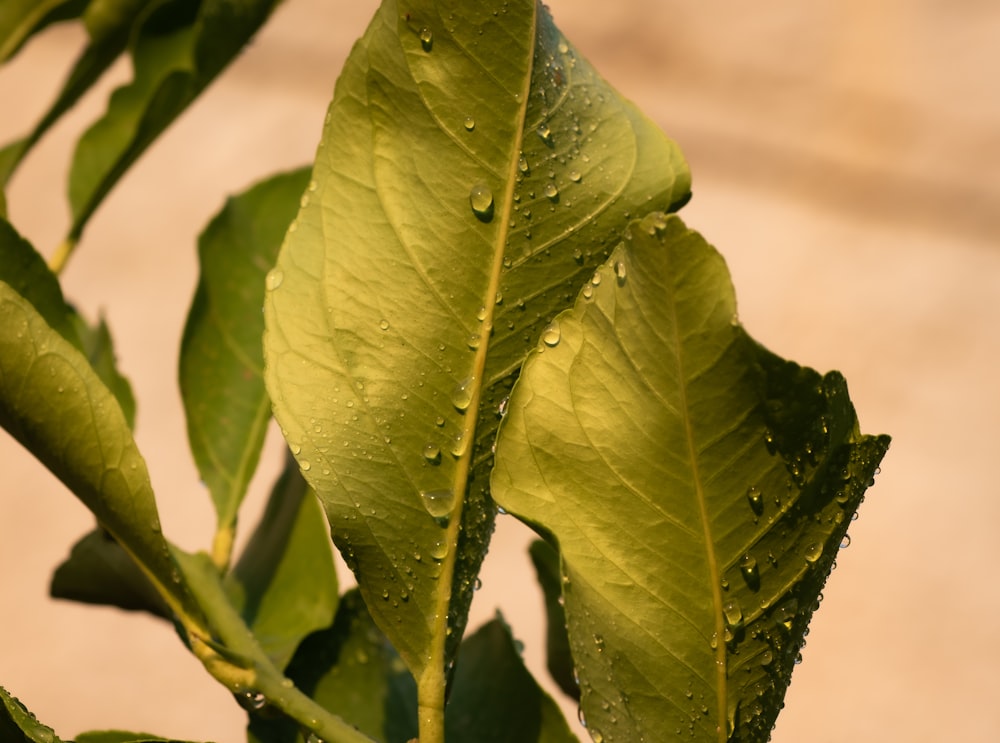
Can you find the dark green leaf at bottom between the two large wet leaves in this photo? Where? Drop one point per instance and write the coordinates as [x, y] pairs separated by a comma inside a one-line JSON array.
[[496, 699]]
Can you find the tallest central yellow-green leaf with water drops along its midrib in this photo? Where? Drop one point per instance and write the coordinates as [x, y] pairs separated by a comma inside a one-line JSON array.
[[472, 170]]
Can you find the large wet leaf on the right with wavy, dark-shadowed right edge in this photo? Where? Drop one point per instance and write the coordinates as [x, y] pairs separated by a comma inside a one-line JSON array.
[[698, 488]]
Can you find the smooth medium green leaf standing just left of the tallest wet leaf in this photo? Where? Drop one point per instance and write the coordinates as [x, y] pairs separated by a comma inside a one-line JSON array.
[[221, 365]]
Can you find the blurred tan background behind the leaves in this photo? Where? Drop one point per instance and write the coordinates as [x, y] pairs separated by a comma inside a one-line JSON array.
[[846, 160]]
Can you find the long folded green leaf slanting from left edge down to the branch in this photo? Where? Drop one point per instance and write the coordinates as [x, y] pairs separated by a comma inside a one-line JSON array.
[[52, 401]]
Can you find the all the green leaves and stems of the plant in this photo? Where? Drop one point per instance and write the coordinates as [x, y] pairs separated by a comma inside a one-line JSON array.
[[482, 301]]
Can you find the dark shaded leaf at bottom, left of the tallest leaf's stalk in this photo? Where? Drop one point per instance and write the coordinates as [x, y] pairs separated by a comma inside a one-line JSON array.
[[352, 670]]
